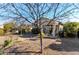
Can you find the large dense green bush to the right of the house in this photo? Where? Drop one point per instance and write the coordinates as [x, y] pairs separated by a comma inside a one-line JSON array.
[[70, 29]]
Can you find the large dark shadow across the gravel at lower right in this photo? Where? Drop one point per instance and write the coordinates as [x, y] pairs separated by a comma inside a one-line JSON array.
[[66, 45]]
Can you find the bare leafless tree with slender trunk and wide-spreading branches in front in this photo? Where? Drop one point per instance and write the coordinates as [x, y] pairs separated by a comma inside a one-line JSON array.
[[34, 11]]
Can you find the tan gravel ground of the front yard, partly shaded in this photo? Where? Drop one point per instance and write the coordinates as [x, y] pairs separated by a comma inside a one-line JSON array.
[[31, 46]]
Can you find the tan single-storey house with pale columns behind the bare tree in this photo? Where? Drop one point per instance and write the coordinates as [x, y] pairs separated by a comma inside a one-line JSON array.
[[50, 27]]
